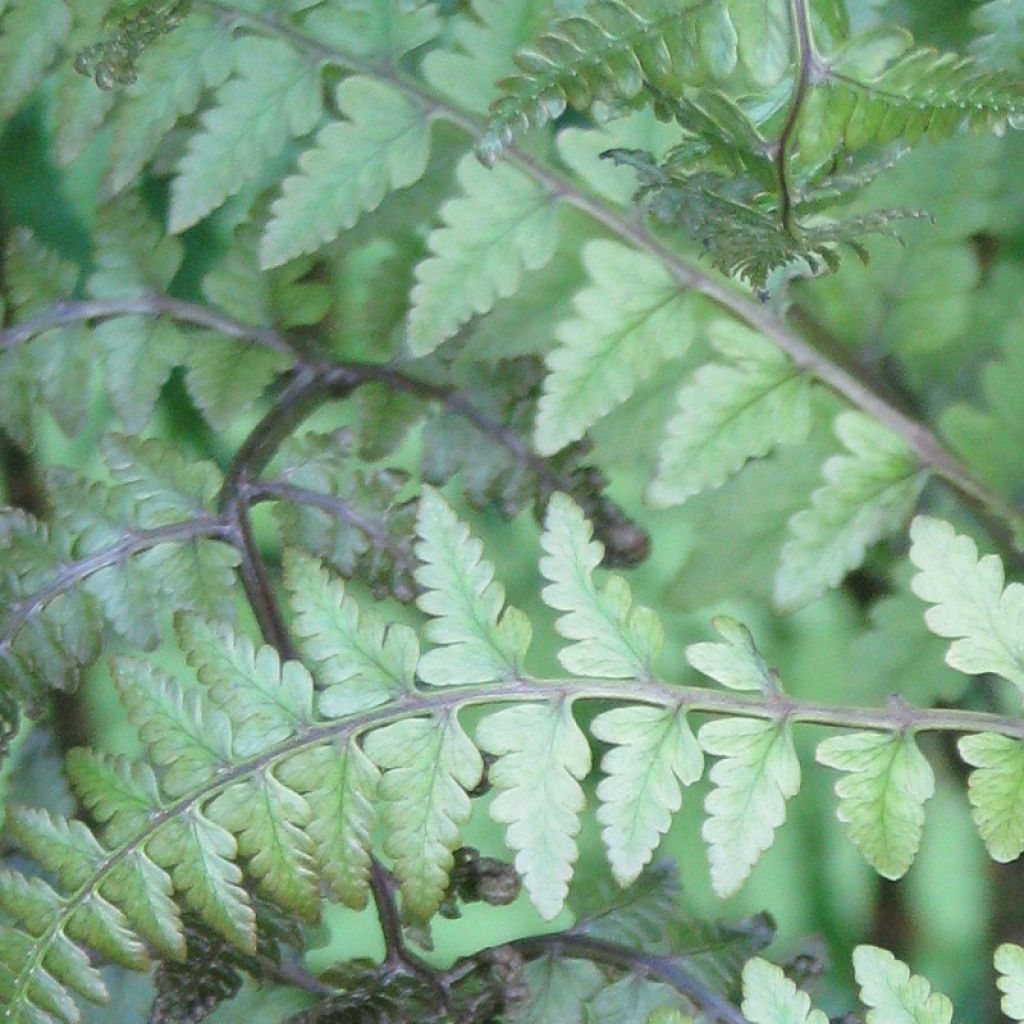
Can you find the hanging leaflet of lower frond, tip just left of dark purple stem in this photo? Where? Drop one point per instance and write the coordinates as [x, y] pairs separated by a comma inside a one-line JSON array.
[[340, 785]]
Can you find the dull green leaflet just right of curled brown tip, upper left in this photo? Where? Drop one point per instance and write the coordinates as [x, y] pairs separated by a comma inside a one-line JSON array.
[[174, 74]]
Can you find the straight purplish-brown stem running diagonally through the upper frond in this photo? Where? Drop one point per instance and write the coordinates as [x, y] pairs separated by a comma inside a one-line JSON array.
[[917, 436]]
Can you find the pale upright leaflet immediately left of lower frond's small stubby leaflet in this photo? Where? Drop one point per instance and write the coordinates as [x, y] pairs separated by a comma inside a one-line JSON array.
[[613, 641]]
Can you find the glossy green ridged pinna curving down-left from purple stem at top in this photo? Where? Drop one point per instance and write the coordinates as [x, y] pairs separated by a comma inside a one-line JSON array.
[[610, 54]]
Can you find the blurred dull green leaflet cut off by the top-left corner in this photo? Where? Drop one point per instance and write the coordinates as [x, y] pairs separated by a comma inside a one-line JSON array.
[[30, 34]]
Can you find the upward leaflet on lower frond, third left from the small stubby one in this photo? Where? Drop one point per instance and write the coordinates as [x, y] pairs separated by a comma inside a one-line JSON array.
[[360, 661]]
